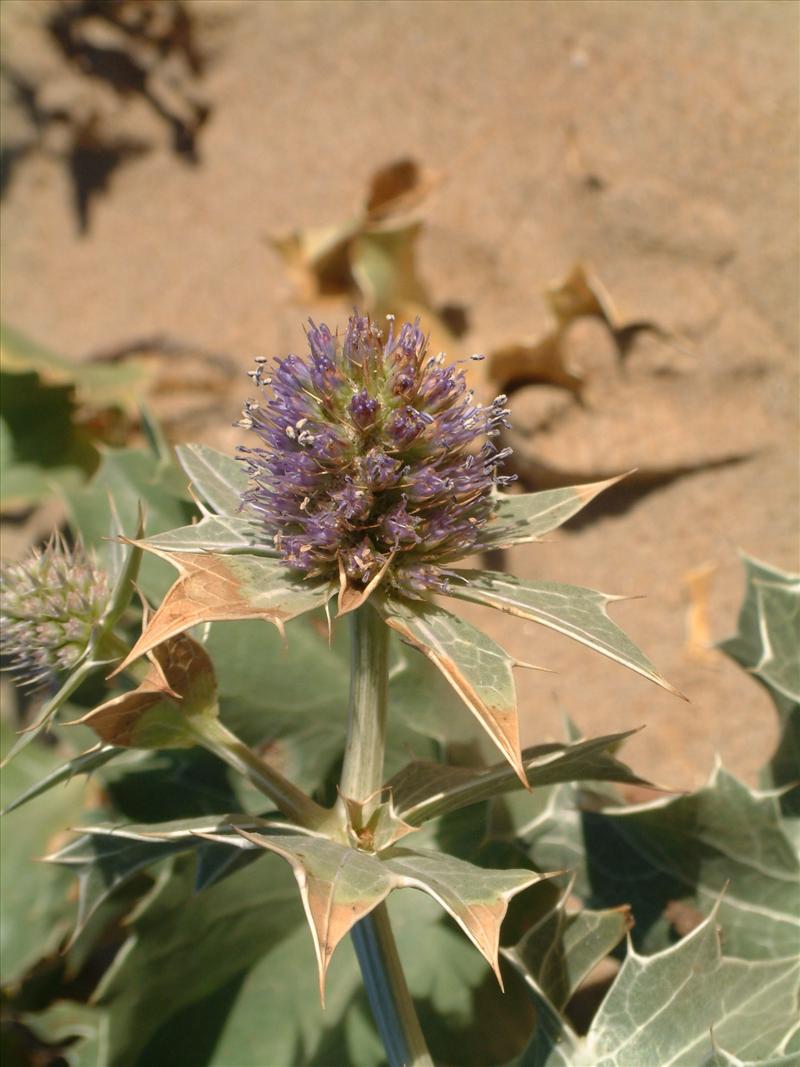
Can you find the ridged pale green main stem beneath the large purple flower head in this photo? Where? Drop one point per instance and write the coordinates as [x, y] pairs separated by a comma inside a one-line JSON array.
[[362, 776]]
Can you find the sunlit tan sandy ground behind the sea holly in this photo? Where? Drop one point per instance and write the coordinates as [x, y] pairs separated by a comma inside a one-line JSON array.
[[657, 141]]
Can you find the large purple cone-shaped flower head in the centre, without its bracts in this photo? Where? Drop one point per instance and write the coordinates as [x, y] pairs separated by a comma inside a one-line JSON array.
[[377, 463]]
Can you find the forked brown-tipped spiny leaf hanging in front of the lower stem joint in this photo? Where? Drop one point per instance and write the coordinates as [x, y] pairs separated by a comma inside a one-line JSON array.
[[340, 886]]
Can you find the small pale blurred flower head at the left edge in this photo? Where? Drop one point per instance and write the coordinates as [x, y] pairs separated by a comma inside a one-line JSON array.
[[51, 603]]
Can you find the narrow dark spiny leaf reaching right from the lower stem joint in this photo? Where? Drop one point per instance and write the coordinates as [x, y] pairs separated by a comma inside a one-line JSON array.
[[424, 791]]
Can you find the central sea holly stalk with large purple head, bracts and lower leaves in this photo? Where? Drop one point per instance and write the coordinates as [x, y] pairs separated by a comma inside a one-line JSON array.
[[375, 472]]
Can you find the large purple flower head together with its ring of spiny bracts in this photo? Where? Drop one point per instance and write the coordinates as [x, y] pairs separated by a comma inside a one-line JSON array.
[[375, 473]]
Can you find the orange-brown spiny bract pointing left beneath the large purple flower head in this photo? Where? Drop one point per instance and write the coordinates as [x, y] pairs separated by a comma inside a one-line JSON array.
[[217, 588]]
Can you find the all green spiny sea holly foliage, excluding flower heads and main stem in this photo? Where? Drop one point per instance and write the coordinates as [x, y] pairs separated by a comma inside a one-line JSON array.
[[189, 931]]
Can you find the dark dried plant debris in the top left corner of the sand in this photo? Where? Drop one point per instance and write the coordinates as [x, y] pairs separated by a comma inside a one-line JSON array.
[[107, 57]]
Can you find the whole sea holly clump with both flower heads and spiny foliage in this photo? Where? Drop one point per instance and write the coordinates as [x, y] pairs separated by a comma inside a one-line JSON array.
[[373, 474]]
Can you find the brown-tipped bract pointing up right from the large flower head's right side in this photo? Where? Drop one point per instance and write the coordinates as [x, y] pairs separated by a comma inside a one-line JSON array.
[[529, 517]]
